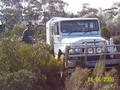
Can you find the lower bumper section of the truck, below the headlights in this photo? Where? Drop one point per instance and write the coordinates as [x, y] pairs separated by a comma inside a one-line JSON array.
[[111, 59]]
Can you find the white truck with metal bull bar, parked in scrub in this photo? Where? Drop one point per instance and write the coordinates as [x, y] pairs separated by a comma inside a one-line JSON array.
[[79, 40]]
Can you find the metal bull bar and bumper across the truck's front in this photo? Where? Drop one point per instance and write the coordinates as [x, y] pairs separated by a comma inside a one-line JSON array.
[[110, 53]]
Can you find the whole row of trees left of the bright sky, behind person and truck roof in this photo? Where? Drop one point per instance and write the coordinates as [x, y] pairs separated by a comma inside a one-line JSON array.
[[17, 11]]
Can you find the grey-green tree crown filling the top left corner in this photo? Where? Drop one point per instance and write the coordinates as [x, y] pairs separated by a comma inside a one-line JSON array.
[[11, 11]]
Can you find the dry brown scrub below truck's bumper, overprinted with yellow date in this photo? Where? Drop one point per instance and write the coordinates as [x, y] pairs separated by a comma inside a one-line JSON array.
[[96, 79]]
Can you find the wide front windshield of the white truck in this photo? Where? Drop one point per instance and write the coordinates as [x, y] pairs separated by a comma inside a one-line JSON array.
[[84, 26]]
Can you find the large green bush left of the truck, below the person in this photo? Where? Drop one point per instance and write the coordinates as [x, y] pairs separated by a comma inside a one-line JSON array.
[[27, 67]]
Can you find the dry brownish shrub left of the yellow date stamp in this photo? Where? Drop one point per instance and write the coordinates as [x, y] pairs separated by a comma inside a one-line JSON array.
[[77, 80]]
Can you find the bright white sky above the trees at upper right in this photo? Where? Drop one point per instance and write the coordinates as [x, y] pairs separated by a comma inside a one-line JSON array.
[[76, 5]]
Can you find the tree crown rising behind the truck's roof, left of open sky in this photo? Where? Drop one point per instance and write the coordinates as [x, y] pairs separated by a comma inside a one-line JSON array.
[[54, 8]]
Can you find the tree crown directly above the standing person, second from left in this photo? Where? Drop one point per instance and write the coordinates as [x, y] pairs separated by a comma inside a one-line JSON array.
[[32, 9]]
